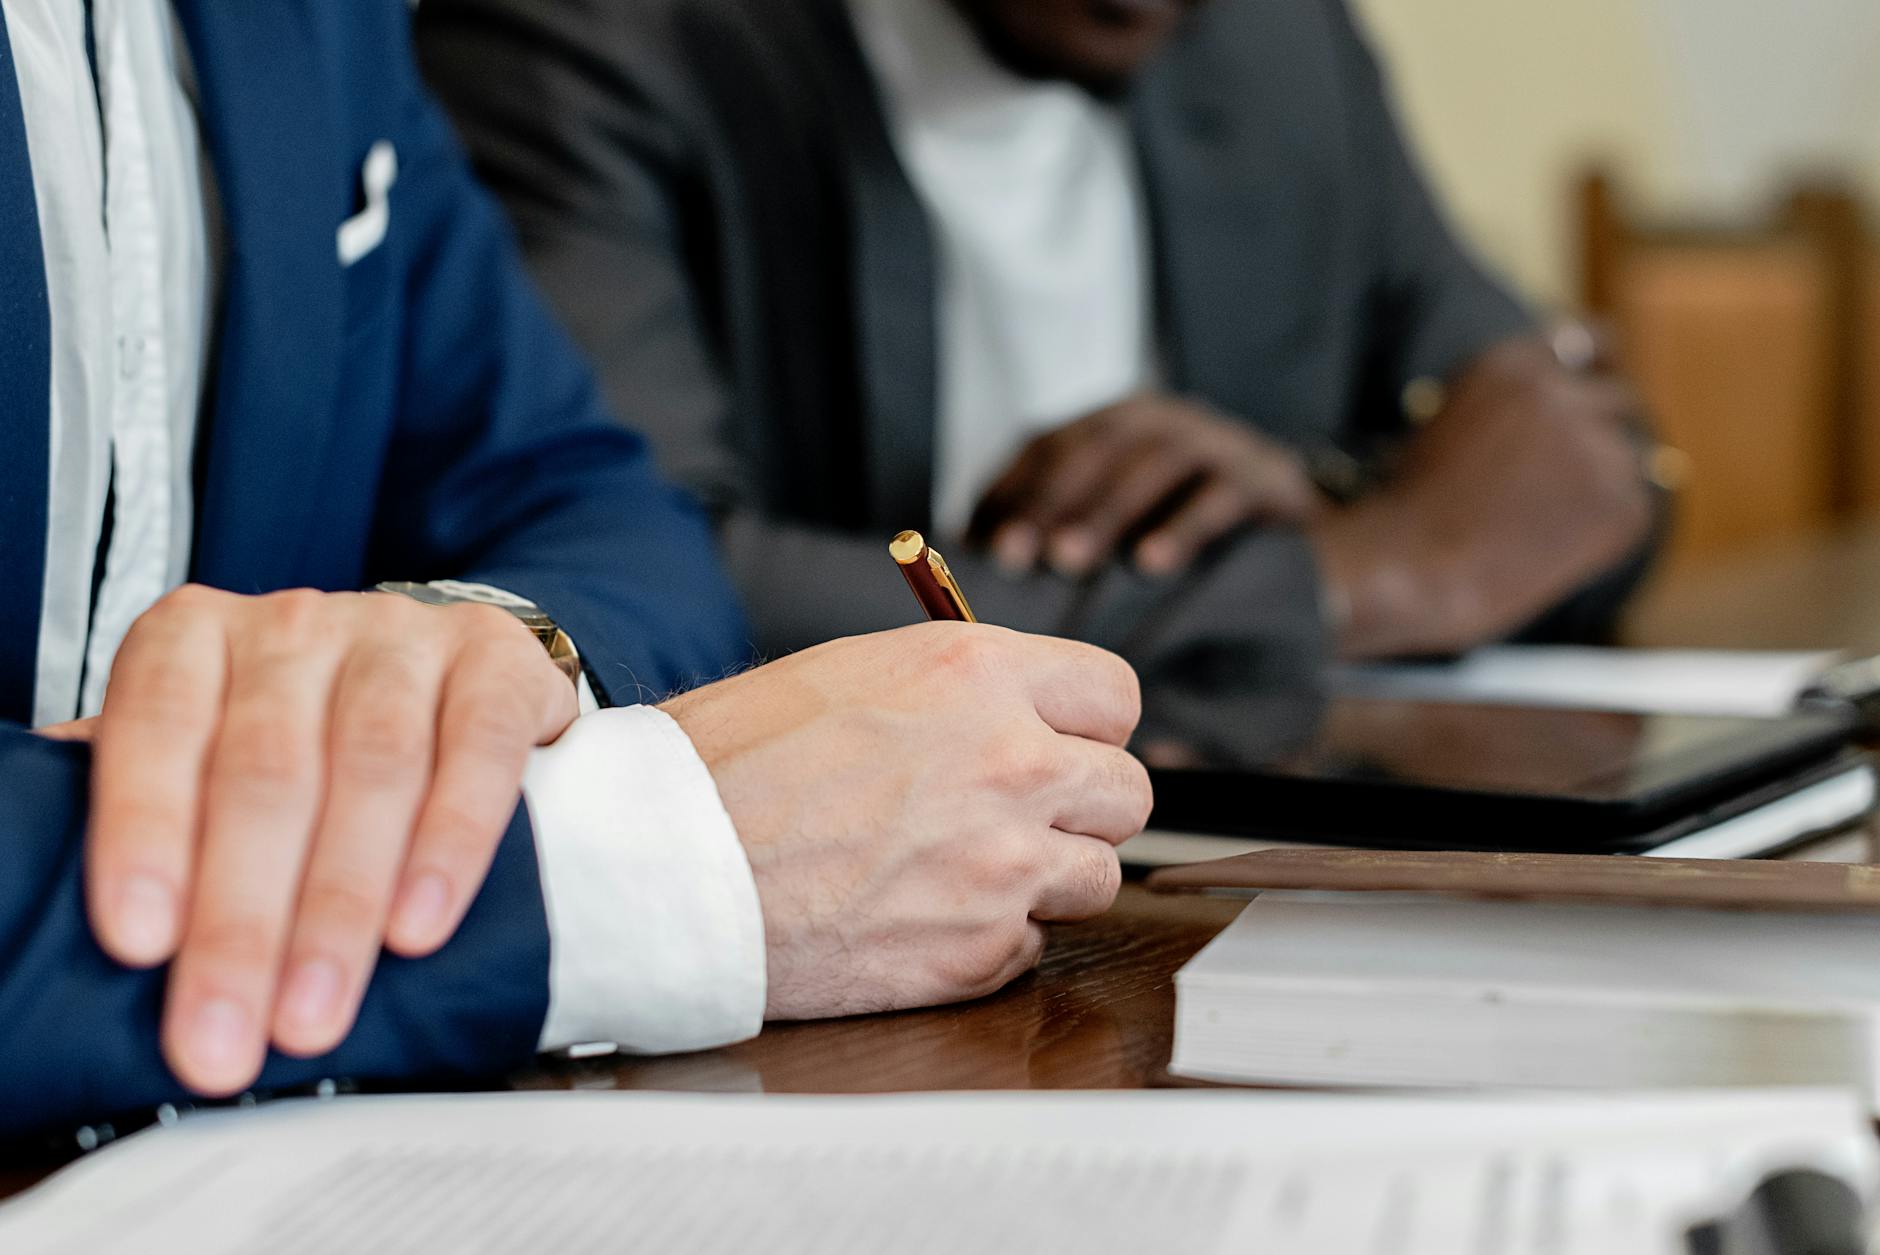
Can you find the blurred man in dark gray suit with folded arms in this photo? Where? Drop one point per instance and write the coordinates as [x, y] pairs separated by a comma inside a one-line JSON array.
[[1142, 302]]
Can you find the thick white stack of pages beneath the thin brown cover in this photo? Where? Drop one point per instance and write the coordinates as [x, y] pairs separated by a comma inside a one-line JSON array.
[[1415, 991]]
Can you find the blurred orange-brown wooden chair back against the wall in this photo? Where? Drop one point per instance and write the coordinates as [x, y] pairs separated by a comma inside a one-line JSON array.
[[1751, 349]]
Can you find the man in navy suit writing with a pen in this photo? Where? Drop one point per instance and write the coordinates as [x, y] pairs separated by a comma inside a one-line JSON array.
[[266, 349]]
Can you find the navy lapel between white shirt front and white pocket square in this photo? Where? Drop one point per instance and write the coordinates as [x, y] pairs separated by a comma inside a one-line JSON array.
[[277, 367]]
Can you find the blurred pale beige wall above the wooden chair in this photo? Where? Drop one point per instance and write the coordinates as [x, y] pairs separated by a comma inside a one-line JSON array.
[[1706, 106]]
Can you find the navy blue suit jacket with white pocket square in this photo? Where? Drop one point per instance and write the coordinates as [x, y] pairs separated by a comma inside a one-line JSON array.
[[413, 416]]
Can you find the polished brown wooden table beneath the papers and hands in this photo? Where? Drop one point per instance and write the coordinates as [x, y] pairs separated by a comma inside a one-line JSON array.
[[1101, 1010]]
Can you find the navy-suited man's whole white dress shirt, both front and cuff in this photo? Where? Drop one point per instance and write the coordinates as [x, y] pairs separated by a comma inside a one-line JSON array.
[[657, 935]]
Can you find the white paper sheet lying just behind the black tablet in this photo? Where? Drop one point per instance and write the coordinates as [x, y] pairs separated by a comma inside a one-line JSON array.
[[1727, 683]]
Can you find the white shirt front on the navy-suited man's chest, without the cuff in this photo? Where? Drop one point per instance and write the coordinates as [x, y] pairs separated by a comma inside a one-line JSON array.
[[129, 281]]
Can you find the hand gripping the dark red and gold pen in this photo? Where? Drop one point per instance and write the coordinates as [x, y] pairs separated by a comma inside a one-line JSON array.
[[918, 803]]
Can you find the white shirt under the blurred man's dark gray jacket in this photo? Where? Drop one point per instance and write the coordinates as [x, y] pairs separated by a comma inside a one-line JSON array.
[[1039, 217]]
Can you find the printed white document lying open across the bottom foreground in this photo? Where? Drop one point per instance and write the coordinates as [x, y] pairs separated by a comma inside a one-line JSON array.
[[1022, 1173]]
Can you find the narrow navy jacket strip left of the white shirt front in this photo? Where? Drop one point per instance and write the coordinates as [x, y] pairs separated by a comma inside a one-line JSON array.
[[25, 403]]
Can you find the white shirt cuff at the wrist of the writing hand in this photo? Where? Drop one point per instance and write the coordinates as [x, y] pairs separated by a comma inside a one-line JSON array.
[[655, 927]]
